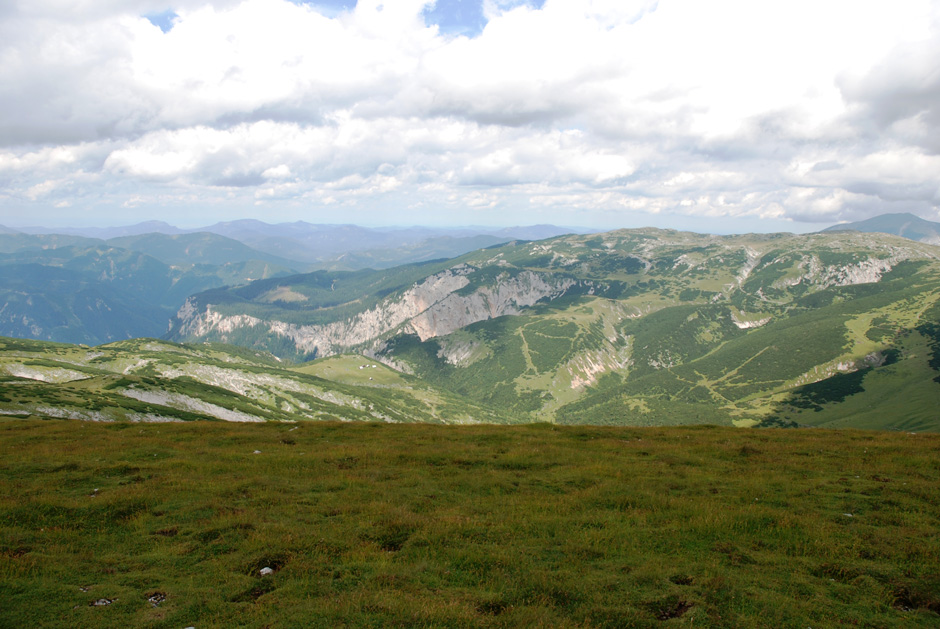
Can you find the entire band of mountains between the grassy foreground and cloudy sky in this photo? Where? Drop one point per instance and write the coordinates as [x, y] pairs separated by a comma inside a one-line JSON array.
[[638, 327]]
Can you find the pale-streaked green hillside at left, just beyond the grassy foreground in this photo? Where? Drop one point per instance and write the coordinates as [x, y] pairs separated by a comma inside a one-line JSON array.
[[147, 380]]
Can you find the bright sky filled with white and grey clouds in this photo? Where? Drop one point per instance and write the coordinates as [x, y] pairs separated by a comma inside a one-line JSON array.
[[721, 116]]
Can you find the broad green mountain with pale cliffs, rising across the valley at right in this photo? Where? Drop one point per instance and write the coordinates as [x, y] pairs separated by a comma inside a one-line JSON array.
[[634, 326]]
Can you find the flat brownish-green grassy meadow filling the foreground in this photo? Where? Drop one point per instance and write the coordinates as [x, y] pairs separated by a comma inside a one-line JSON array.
[[368, 524]]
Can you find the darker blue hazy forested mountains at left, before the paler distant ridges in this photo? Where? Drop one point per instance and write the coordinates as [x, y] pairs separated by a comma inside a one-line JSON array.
[[98, 293]]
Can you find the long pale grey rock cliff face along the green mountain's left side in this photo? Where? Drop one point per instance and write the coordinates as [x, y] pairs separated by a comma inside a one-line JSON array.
[[434, 307]]
